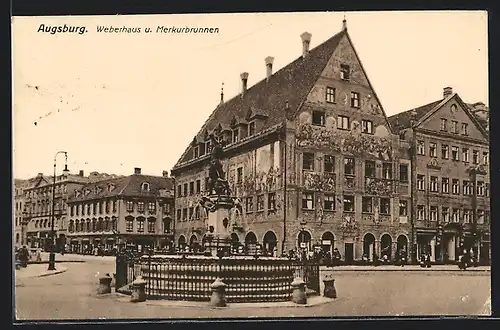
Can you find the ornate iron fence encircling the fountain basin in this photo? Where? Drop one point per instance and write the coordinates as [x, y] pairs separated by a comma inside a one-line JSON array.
[[188, 277]]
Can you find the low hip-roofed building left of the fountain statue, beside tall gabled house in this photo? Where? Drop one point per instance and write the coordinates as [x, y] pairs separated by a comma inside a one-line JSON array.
[[135, 210]]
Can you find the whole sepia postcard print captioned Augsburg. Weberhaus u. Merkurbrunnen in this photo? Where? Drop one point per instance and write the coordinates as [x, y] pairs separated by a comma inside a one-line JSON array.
[[251, 165]]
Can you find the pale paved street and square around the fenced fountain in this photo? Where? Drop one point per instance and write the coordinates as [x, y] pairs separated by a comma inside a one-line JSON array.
[[71, 295]]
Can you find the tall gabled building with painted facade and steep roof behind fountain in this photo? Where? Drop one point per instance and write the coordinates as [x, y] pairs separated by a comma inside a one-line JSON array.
[[310, 155]]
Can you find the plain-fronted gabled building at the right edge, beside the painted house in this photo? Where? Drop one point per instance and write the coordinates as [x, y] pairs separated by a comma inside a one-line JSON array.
[[449, 151]]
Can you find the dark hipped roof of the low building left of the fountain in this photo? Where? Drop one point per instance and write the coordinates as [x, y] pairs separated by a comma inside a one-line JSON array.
[[124, 186]]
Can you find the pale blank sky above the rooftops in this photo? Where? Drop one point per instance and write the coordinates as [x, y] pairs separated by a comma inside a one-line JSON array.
[[119, 101]]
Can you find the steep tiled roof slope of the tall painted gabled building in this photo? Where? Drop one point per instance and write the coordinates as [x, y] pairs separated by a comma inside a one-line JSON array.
[[288, 86]]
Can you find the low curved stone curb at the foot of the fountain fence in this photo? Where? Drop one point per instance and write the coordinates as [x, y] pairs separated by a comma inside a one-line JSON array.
[[123, 298]]
